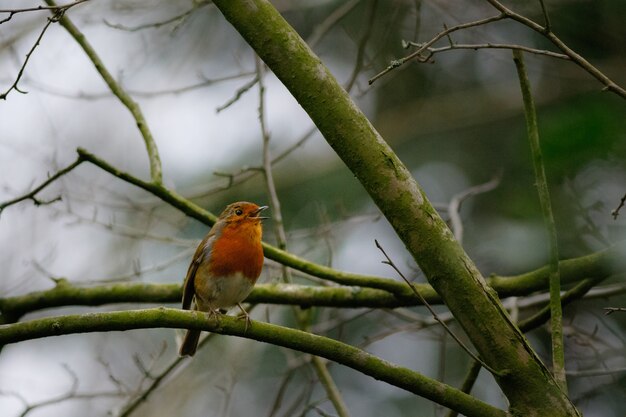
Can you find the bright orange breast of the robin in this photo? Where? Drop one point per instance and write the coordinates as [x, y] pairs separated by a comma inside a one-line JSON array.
[[238, 250]]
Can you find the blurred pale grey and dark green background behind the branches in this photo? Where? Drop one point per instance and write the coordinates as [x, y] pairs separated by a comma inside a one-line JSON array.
[[456, 122]]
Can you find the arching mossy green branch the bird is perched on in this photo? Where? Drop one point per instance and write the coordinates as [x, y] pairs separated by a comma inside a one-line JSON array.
[[281, 336]]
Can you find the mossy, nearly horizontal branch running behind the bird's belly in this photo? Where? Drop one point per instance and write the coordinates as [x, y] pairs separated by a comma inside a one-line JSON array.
[[594, 267]]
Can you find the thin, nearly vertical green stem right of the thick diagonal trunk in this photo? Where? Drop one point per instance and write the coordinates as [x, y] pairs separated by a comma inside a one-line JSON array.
[[541, 181]]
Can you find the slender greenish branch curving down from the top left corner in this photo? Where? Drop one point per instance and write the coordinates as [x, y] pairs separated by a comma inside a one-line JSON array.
[[153, 153]]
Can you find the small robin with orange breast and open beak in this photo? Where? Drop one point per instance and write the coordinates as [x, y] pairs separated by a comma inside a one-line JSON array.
[[225, 267]]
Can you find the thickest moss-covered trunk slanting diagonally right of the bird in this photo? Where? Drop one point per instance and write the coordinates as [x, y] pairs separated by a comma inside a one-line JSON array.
[[392, 188]]
